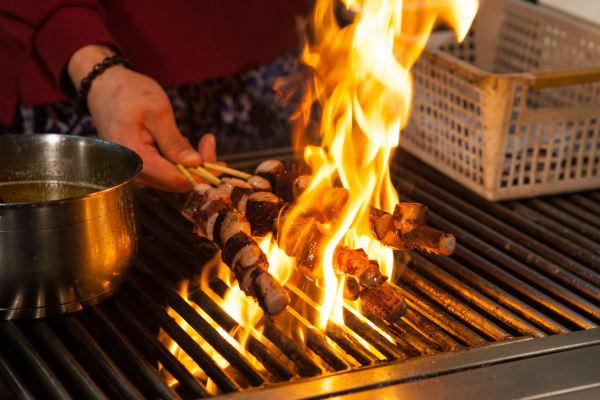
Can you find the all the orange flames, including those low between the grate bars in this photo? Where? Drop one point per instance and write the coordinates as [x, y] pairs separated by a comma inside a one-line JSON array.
[[361, 53]]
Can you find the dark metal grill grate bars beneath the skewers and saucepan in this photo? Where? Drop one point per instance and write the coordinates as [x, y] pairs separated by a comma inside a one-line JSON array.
[[522, 269]]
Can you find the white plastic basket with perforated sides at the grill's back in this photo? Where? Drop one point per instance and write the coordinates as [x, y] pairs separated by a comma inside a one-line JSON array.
[[514, 110]]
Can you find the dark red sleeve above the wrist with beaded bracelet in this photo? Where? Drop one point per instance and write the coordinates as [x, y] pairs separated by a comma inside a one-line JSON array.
[[53, 30]]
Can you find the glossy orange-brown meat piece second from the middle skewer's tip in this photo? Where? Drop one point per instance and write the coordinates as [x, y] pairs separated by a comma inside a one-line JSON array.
[[356, 263]]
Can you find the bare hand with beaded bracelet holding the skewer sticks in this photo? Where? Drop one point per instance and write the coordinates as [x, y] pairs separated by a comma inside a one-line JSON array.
[[132, 110]]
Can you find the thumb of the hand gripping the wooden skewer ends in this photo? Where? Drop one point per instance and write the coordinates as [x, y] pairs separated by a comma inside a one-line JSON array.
[[161, 125]]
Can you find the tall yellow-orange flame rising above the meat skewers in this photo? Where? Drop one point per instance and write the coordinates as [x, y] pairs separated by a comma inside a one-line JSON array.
[[362, 82]]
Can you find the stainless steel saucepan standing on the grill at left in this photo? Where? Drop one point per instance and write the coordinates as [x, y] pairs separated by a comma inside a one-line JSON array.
[[59, 256]]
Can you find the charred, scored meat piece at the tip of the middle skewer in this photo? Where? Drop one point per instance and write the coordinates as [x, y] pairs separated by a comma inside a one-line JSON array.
[[384, 302]]
